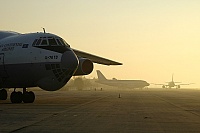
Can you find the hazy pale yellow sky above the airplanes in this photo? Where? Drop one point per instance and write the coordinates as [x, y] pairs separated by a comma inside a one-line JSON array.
[[152, 38]]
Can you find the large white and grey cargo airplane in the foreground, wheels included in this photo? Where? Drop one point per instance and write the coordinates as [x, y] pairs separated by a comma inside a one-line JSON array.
[[42, 60]]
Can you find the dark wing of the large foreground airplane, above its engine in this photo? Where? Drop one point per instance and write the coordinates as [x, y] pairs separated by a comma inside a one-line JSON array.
[[95, 59]]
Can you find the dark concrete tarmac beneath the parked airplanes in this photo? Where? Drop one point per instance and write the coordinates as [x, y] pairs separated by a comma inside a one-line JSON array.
[[107, 111]]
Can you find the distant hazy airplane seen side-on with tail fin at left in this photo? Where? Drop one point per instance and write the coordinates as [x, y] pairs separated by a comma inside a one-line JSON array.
[[121, 83]]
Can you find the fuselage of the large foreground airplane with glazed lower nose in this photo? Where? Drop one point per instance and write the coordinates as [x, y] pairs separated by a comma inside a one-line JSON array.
[[36, 59]]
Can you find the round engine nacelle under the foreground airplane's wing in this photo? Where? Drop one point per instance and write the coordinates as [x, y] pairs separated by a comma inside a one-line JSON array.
[[85, 67]]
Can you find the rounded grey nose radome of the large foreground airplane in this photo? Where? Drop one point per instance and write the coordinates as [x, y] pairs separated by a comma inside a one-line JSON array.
[[69, 60]]
